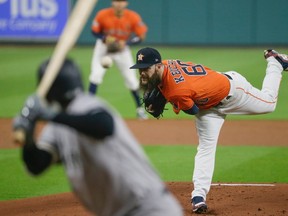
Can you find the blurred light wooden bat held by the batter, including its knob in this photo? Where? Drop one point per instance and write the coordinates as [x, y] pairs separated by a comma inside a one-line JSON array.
[[67, 40]]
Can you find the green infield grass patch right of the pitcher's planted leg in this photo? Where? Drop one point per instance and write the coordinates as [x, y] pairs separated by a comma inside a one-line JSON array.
[[251, 164]]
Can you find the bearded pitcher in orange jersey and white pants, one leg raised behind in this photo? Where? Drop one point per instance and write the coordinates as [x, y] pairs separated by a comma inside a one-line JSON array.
[[209, 95]]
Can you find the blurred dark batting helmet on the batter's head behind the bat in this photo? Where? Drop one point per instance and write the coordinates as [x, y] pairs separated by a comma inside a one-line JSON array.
[[66, 84]]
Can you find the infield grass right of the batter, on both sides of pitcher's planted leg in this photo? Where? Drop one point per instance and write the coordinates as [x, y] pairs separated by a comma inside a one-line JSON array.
[[233, 164]]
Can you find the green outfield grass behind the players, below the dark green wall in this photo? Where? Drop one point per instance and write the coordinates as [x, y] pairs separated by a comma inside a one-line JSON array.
[[19, 64]]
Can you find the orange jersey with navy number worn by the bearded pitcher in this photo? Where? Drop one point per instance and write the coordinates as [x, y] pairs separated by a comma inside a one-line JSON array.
[[186, 83]]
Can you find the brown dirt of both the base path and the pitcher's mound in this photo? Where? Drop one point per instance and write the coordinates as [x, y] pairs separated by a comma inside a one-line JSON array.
[[271, 199]]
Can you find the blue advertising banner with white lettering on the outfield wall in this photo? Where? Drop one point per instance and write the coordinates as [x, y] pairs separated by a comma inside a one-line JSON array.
[[30, 20]]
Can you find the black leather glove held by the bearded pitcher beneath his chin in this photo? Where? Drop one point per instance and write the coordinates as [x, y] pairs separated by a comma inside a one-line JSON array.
[[154, 102]]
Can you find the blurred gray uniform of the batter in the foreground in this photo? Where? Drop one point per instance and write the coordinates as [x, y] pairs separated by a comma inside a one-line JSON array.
[[111, 176]]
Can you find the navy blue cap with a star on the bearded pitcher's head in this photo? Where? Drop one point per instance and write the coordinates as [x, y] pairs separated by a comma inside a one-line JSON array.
[[146, 57]]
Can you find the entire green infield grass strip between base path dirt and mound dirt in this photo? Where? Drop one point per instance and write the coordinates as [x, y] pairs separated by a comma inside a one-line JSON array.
[[174, 163]]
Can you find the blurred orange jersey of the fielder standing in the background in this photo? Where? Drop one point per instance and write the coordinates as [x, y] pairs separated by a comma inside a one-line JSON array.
[[108, 23]]
